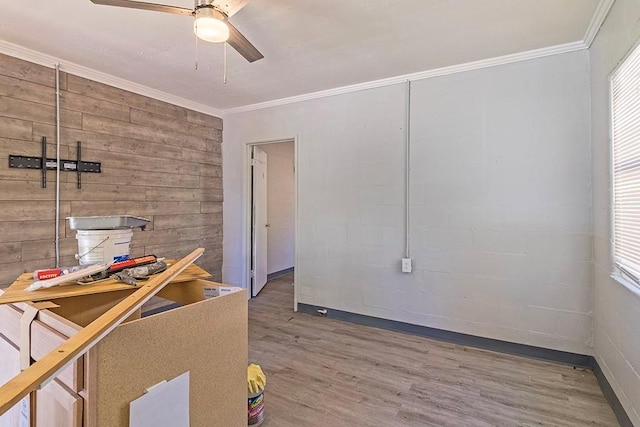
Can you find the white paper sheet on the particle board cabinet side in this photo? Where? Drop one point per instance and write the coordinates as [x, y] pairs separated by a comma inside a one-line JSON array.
[[166, 404]]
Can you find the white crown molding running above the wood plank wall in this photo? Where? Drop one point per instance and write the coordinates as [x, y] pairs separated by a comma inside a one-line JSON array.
[[88, 73]]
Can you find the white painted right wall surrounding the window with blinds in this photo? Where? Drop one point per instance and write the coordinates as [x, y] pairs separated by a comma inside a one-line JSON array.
[[616, 309]]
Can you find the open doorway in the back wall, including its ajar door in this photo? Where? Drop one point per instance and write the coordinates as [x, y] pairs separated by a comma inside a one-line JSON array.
[[271, 216]]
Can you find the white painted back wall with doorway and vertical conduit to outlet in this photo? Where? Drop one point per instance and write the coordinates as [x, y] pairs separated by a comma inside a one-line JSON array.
[[501, 236]]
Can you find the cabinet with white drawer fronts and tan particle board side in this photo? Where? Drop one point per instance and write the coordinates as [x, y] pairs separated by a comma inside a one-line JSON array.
[[205, 337]]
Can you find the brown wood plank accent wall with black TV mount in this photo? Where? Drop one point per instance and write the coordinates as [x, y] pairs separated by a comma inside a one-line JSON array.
[[159, 161]]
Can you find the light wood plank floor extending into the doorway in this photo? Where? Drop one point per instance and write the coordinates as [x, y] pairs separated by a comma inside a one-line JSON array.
[[324, 372]]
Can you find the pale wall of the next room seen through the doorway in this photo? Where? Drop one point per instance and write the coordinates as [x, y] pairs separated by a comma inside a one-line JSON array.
[[281, 207]]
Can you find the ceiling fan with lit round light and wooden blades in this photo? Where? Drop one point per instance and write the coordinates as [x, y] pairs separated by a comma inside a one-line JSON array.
[[211, 21]]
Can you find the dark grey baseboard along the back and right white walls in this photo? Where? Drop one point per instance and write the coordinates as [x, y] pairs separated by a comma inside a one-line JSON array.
[[557, 356]]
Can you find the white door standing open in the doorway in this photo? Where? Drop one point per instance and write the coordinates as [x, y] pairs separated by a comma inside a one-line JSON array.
[[259, 221]]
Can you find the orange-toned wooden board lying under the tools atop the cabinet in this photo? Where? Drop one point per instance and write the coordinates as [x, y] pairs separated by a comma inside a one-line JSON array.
[[16, 292]]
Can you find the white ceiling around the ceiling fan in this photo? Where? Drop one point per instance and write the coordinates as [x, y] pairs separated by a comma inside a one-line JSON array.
[[309, 45]]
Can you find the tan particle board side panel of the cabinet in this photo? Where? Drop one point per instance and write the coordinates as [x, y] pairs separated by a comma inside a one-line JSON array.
[[163, 346]]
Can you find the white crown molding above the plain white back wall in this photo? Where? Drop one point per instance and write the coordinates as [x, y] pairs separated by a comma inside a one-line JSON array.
[[438, 72]]
